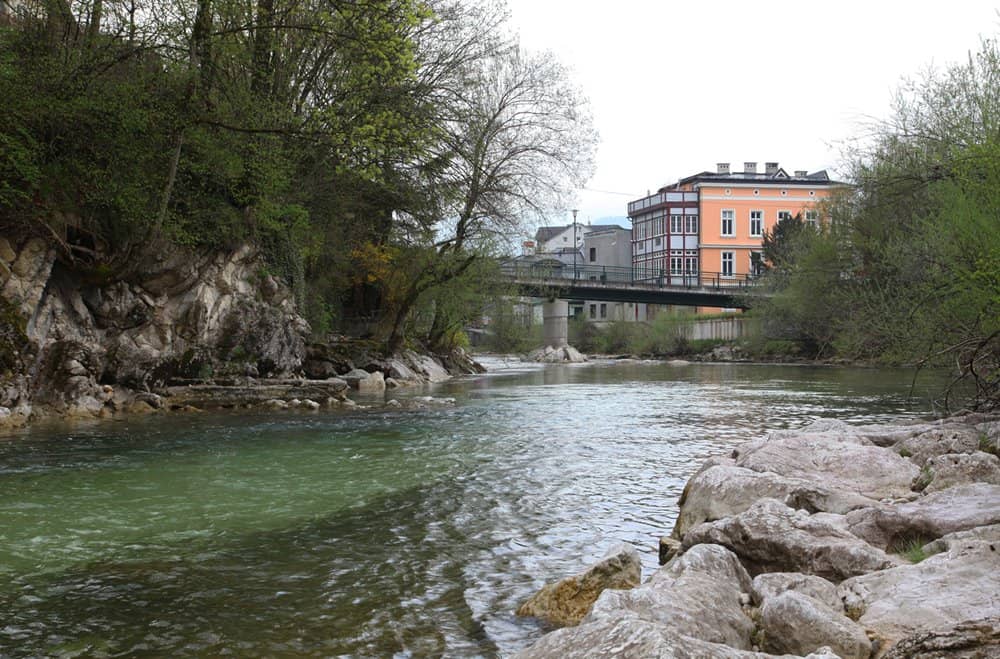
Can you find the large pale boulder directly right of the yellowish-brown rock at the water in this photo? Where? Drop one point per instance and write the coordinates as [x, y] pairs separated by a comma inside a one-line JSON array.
[[697, 594]]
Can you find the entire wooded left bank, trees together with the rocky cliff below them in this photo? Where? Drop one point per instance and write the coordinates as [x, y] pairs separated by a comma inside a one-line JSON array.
[[215, 188]]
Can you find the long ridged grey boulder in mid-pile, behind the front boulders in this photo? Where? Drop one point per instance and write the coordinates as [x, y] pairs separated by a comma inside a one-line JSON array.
[[771, 537]]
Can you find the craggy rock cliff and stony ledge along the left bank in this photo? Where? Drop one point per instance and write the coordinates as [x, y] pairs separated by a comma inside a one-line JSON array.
[[177, 330]]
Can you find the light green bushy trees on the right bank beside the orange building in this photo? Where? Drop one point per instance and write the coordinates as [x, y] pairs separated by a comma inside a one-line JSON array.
[[908, 273]]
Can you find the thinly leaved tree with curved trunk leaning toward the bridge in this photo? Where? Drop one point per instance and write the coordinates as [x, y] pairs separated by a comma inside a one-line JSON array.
[[515, 139]]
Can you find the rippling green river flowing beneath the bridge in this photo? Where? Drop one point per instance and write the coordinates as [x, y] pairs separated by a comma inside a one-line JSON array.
[[376, 532]]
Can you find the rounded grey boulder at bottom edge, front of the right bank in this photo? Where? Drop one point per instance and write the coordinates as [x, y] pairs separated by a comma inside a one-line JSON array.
[[797, 624]]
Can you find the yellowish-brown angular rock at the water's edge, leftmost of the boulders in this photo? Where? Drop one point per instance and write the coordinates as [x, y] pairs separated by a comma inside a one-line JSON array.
[[566, 602]]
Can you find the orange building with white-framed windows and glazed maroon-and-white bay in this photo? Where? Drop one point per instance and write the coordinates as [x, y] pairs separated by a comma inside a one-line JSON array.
[[706, 227]]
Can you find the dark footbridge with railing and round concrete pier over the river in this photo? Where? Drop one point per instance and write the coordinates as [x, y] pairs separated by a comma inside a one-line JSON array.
[[558, 282]]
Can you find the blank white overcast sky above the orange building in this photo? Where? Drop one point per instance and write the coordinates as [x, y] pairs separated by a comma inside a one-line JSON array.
[[676, 87]]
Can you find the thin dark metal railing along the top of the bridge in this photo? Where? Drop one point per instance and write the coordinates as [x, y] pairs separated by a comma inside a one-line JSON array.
[[611, 275]]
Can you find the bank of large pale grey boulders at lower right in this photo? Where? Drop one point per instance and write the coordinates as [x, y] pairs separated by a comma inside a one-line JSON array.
[[831, 541]]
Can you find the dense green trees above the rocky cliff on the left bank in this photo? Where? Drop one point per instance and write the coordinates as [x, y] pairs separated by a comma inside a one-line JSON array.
[[372, 151]]
